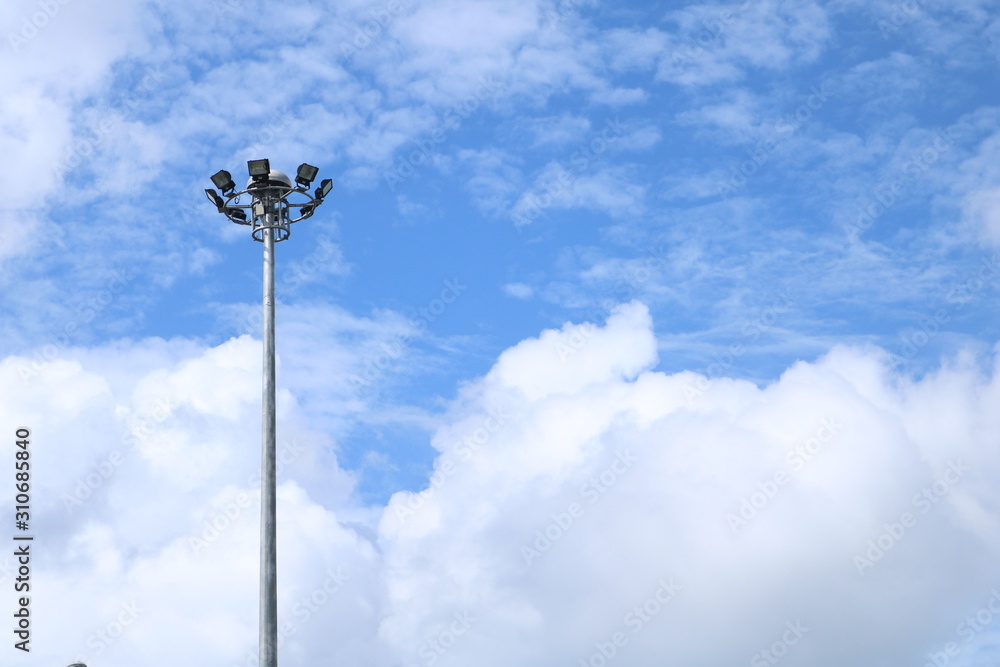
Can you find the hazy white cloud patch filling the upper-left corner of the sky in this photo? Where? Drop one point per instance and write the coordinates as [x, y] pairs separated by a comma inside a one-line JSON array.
[[56, 55]]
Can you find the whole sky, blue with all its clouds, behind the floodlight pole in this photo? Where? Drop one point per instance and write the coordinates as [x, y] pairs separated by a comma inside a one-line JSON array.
[[722, 218]]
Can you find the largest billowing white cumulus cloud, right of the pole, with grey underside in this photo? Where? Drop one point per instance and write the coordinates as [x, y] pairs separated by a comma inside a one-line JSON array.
[[561, 503]]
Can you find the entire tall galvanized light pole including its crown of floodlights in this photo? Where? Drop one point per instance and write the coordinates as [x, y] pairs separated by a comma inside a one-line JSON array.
[[273, 199]]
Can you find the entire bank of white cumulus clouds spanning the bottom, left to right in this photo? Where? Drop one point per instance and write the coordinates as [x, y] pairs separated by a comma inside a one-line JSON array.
[[581, 504]]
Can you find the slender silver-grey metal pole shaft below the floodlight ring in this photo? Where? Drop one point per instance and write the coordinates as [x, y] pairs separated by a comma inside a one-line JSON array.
[[268, 507]]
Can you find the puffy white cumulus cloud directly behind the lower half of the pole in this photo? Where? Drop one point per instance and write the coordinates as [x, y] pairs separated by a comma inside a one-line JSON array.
[[145, 461]]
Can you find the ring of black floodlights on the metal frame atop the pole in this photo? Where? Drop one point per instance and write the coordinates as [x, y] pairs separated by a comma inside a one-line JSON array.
[[269, 190]]
